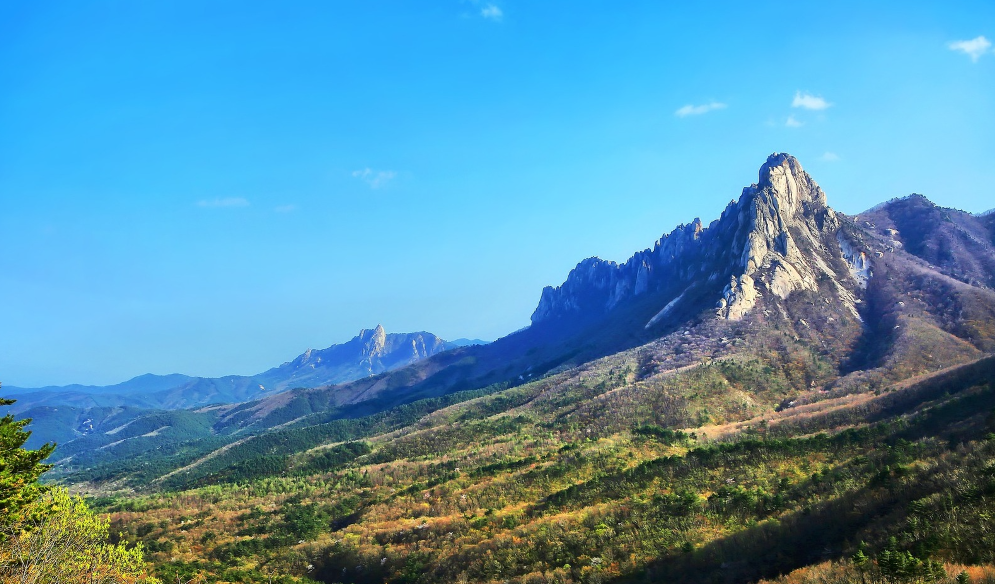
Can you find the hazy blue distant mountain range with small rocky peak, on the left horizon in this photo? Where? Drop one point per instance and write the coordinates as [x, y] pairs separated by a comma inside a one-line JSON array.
[[371, 352]]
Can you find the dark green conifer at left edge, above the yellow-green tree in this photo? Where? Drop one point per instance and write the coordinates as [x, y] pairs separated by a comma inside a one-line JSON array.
[[19, 468]]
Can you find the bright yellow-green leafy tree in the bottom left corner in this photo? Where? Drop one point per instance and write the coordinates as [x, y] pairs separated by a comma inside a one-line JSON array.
[[62, 541]]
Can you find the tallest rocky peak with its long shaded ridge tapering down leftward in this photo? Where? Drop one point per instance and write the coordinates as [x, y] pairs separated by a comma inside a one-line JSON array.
[[780, 238]]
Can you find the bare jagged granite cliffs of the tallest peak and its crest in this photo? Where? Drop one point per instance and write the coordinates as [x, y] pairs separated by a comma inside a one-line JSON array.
[[779, 237]]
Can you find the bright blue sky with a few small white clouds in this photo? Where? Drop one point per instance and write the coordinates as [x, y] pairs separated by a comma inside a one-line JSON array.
[[213, 187]]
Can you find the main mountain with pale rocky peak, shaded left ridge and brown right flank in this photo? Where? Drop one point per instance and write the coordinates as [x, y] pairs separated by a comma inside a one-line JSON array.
[[778, 260]]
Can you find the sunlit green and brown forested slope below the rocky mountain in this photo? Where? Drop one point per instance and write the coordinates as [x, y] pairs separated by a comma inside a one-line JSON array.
[[569, 478]]
